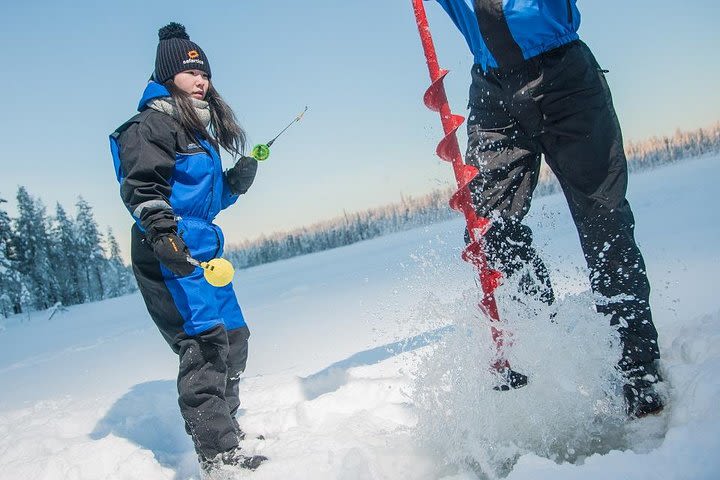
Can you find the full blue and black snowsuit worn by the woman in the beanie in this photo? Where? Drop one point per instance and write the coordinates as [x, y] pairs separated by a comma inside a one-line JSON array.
[[174, 181]]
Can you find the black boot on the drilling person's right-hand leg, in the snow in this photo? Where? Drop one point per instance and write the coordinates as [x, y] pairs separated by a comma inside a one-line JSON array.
[[641, 394]]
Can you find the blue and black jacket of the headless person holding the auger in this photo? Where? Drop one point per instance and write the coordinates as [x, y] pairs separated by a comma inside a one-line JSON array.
[[503, 33]]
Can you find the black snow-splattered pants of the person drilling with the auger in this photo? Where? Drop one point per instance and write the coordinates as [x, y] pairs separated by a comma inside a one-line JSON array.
[[558, 104]]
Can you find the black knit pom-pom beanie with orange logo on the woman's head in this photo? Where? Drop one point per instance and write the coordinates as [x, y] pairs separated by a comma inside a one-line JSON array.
[[176, 53]]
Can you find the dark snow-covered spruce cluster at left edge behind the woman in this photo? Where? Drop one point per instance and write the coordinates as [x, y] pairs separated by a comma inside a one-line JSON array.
[[48, 261]]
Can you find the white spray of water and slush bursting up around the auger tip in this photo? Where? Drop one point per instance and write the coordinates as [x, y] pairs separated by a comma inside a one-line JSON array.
[[570, 409]]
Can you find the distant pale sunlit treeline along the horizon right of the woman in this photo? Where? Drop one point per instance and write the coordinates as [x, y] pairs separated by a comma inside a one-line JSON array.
[[412, 212]]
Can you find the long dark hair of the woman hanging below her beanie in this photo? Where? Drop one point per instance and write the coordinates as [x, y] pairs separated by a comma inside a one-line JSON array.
[[224, 129]]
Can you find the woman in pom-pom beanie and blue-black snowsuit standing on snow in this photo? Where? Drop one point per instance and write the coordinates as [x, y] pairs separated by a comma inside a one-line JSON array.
[[171, 180]]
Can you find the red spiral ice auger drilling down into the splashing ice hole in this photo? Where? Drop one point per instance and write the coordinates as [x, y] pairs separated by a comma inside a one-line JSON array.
[[436, 100]]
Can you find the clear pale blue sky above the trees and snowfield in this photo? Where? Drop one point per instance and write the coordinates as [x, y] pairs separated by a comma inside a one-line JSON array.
[[74, 71]]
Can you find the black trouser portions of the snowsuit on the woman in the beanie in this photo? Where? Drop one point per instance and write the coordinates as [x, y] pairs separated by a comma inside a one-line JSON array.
[[210, 363]]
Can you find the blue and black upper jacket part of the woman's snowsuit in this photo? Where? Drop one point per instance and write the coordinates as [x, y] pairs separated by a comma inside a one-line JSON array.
[[161, 168]]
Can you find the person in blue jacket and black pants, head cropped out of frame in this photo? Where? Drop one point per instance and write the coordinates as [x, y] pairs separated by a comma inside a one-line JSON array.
[[537, 89]]
